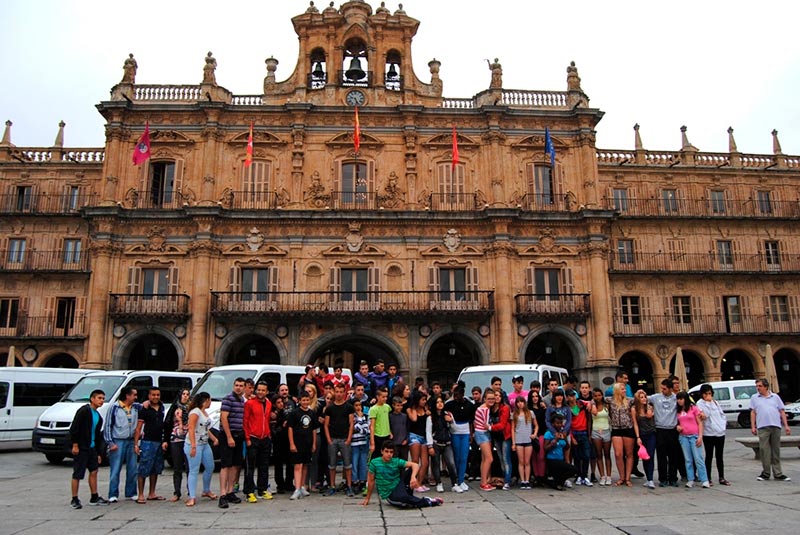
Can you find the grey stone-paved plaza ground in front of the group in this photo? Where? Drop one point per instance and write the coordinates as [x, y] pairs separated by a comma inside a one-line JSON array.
[[34, 499]]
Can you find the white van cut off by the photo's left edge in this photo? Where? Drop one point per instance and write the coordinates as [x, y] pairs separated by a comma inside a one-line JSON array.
[[24, 394]]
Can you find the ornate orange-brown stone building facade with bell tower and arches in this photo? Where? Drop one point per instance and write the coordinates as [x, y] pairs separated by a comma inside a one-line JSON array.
[[397, 249]]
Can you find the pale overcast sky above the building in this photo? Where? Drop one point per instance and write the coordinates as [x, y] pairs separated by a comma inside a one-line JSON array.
[[705, 64]]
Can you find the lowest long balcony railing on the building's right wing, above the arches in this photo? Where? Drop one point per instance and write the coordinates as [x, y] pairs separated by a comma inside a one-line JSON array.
[[711, 325]]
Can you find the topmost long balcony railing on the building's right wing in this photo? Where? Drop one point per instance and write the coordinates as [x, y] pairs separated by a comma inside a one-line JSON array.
[[694, 208]]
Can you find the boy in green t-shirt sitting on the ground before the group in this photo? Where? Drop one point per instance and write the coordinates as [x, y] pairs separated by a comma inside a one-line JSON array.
[[395, 478]]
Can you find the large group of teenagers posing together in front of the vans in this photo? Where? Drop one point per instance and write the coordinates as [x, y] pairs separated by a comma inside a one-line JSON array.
[[395, 438]]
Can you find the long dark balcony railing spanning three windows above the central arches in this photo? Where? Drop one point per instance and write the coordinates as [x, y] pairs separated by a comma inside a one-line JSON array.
[[333, 305]]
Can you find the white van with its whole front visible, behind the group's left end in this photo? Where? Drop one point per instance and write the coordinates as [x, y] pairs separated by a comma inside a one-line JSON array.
[[51, 434]]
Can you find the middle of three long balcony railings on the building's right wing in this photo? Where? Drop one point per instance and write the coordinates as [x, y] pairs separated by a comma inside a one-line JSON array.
[[703, 263]]
